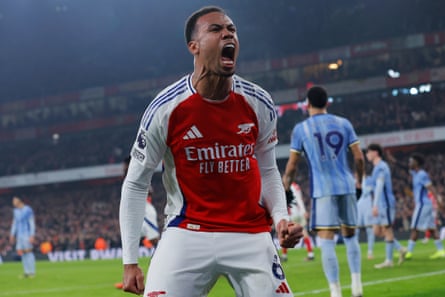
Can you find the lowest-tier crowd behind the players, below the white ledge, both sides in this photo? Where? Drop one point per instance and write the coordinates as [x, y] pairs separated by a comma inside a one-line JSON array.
[[72, 216]]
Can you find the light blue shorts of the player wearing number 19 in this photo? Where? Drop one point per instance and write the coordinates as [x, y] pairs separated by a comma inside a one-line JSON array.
[[331, 212]]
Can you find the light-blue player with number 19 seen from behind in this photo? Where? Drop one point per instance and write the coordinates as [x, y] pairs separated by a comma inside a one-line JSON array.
[[325, 140]]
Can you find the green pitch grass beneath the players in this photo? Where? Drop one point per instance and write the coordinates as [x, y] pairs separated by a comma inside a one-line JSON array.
[[419, 277]]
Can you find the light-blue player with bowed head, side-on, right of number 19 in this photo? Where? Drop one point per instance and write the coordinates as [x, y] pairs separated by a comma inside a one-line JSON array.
[[384, 205]]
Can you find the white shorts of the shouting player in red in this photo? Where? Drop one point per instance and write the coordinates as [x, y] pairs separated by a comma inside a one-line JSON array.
[[188, 264]]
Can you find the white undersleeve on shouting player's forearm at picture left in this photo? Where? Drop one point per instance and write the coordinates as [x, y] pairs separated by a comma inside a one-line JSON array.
[[132, 208]]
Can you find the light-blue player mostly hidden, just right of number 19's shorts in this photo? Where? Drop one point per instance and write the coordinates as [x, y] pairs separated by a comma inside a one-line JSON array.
[[365, 218]]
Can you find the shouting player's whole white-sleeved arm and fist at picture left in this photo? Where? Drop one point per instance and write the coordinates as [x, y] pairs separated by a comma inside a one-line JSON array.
[[147, 152]]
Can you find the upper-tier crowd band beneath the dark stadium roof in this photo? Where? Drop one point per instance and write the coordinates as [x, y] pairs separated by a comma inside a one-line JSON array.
[[131, 104]]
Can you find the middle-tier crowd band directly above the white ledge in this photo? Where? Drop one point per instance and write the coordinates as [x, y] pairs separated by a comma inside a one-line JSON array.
[[374, 112]]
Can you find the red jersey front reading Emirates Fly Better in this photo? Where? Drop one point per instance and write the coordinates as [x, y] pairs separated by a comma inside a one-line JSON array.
[[213, 145]]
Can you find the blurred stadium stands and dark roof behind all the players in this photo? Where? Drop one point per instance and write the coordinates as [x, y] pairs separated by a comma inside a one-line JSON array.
[[76, 76]]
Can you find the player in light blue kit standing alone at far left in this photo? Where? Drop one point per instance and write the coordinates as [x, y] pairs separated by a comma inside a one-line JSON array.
[[23, 230]]
